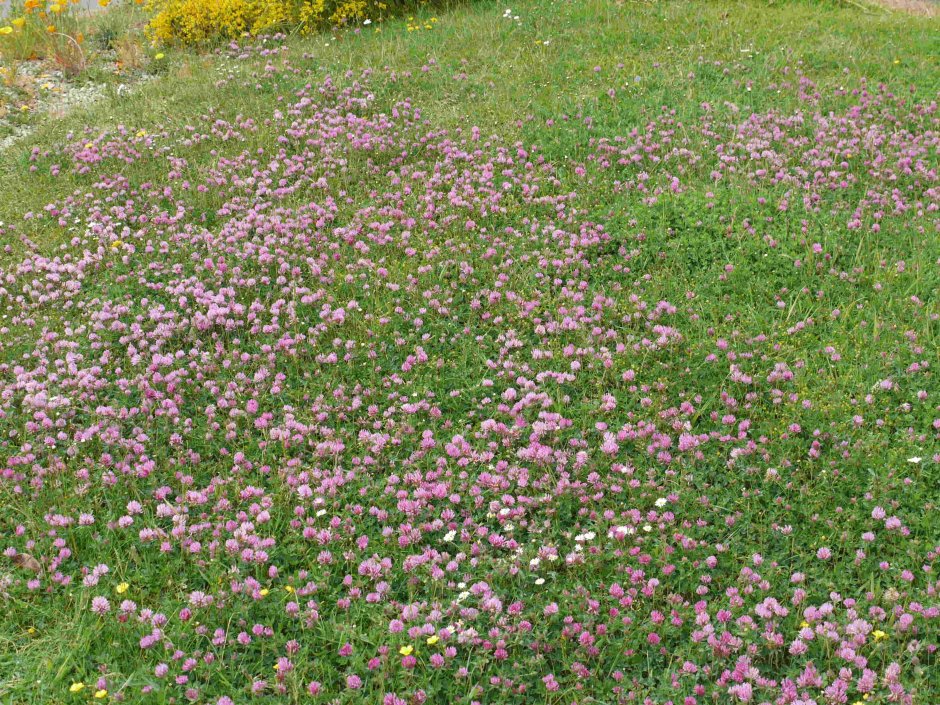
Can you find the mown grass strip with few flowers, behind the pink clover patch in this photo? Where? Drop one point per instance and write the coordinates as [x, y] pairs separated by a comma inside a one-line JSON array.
[[511, 74]]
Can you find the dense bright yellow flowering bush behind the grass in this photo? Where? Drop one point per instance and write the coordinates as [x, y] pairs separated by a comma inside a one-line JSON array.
[[197, 21]]
